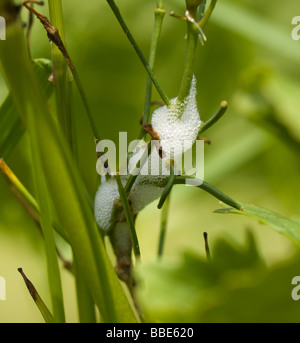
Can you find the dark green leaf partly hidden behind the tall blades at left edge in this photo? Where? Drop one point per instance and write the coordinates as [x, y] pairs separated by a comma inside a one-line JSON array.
[[11, 126]]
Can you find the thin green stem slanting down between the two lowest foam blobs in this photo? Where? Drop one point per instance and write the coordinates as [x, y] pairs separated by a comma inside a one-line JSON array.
[[129, 218]]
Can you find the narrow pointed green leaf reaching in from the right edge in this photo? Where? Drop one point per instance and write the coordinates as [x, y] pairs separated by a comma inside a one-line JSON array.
[[285, 226]]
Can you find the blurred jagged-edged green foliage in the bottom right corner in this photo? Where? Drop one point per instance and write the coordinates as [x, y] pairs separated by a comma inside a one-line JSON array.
[[234, 287]]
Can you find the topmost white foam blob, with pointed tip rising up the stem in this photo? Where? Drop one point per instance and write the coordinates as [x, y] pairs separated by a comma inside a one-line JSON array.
[[178, 125]]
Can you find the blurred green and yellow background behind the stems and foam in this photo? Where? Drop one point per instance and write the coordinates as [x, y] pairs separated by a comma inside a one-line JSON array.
[[250, 60]]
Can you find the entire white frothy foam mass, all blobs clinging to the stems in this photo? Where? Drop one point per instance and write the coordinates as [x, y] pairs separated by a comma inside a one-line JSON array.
[[178, 127]]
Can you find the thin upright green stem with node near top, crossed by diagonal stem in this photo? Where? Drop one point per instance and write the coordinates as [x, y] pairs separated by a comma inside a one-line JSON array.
[[159, 17]]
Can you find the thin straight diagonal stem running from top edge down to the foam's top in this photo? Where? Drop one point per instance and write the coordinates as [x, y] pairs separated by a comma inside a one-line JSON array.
[[138, 51]]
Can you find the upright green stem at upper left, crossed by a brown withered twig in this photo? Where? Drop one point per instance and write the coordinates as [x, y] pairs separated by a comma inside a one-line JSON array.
[[60, 72]]
